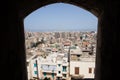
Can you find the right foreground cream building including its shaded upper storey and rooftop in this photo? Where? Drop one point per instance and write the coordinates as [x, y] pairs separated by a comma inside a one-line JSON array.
[[82, 65]]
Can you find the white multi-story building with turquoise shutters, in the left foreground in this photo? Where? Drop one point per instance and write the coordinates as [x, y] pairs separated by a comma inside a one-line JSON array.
[[55, 67]]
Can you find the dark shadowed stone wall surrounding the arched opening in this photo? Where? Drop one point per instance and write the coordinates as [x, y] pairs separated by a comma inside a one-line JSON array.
[[13, 51]]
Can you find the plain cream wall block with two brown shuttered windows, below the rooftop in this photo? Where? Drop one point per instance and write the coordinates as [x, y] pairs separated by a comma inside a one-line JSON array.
[[83, 69]]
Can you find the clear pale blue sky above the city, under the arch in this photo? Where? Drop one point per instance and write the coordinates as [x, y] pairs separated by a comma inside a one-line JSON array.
[[60, 16]]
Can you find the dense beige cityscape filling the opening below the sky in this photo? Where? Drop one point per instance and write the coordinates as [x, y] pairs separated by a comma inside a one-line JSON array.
[[60, 55]]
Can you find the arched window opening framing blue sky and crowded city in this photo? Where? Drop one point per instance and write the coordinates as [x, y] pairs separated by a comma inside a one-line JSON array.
[[60, 38]]
